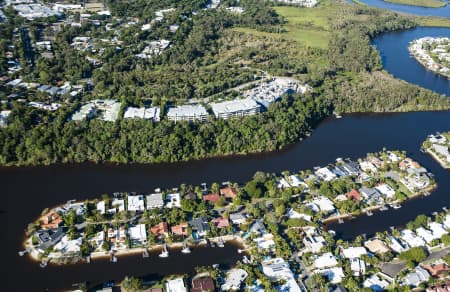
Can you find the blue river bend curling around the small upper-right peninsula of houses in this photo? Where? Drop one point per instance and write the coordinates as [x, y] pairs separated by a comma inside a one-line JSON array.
[[393, 47]]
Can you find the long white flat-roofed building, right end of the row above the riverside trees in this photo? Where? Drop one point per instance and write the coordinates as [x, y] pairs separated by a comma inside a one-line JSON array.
[[235, 108]]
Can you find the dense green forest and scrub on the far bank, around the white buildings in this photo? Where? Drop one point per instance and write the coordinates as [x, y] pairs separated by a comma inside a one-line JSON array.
[[208, 55]]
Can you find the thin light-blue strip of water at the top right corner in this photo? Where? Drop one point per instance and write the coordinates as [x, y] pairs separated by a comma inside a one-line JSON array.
[[416, 10]]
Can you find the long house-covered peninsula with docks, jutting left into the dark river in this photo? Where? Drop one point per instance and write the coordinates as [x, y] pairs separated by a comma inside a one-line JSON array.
[[189, 215]]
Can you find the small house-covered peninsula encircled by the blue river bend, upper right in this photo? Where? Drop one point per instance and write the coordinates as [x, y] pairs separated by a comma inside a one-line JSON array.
[[433, 54]]
